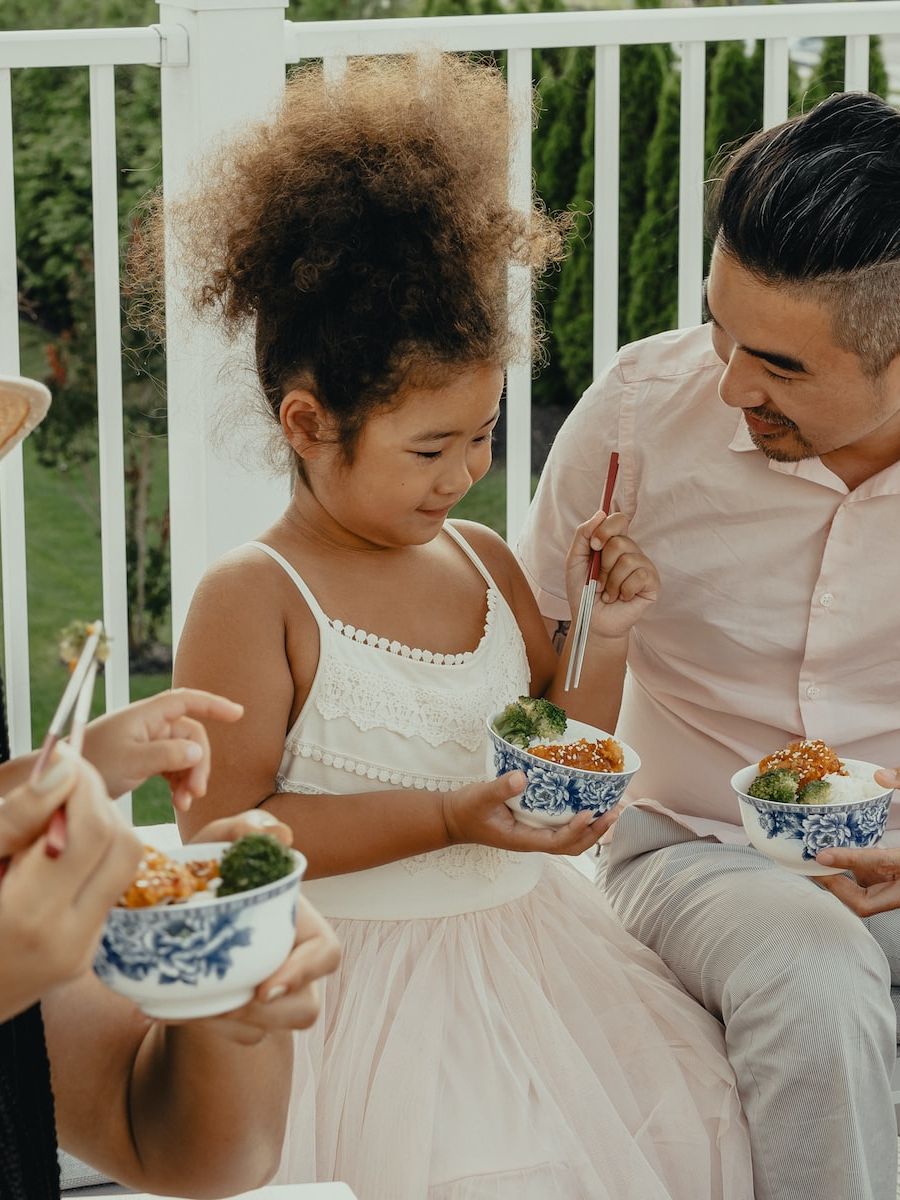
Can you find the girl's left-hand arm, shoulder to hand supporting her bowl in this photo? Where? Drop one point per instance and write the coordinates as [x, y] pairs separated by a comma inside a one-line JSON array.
[[225, 647]]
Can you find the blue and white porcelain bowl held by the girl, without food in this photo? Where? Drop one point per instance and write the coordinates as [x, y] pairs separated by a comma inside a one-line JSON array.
[[556, 794]]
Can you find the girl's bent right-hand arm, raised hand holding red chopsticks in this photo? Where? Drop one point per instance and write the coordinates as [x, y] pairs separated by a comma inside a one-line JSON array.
[[631, 584]]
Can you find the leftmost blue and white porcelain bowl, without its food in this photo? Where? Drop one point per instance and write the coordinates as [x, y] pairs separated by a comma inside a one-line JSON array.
[[206, 956]]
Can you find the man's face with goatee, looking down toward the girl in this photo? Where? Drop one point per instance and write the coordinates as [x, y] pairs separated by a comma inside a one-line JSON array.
[[803, 397]]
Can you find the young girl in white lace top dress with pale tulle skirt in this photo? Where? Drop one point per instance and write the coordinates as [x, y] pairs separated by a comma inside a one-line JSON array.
[[493, 1033]]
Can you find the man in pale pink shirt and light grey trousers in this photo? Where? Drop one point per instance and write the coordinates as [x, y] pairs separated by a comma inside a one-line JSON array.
[[760, 466]]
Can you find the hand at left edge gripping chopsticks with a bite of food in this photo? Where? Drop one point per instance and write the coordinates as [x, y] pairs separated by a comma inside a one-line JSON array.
[[52, 910]]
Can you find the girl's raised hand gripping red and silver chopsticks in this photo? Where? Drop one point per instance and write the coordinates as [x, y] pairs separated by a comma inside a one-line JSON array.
[[628, 583]]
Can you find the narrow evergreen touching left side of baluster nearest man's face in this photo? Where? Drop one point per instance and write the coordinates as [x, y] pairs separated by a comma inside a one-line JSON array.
[[653, 297]]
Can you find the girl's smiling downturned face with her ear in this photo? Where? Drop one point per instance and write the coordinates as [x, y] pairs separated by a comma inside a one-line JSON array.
[[413, 463]]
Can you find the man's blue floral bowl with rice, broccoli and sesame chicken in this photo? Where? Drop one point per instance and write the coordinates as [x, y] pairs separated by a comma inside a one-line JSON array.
[[805, 799]]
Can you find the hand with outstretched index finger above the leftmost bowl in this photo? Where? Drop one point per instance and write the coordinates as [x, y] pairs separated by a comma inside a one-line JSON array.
[[160, 736]]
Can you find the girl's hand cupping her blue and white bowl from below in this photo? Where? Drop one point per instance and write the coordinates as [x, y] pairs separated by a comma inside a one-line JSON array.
[[479, 814]]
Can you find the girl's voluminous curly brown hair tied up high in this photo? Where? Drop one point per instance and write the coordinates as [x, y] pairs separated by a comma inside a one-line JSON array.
[[365, 232]]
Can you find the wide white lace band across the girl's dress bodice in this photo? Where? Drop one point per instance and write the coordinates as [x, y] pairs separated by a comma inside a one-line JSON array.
[[373, 700]]
